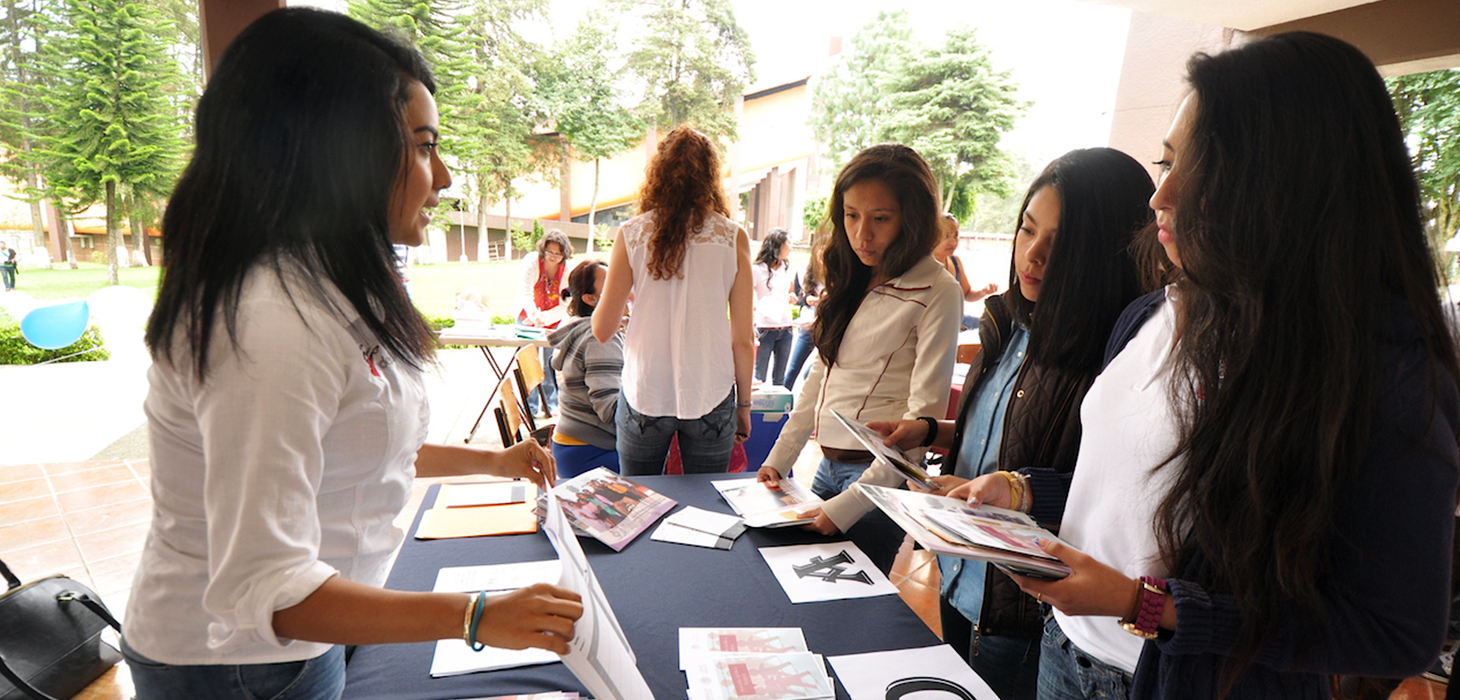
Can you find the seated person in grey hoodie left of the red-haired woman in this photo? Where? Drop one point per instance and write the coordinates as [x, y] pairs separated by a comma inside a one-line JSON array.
[[585, 436]]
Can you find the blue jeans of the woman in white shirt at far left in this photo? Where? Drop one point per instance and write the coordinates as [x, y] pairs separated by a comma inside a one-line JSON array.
[[318, 679]]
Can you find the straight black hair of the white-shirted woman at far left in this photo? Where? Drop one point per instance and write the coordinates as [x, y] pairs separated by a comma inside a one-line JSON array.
[[300, 144]]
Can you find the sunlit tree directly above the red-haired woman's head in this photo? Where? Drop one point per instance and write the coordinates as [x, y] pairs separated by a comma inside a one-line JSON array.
[[691, 64]]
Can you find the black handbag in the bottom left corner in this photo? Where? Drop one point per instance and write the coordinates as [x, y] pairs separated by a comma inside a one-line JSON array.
[[50, 638]]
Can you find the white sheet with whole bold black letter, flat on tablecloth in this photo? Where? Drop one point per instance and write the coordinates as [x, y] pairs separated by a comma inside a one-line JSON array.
[[826, 572]]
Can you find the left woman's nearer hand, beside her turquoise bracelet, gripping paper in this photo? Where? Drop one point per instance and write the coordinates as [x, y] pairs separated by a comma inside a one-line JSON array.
[[539, 616]]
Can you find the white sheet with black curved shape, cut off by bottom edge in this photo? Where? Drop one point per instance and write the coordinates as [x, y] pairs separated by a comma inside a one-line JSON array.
[[935, 672]]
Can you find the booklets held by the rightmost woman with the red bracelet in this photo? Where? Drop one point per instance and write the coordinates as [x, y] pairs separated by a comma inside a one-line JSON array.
[[951, 527]]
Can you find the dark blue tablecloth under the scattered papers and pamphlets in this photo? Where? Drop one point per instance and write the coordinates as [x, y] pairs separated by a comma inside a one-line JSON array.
[[656, 588]]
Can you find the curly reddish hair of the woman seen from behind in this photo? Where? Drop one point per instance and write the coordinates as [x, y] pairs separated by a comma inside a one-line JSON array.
[[681, 186]]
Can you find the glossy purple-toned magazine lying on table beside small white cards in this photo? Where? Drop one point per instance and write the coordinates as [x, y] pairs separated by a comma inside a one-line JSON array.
[[610, 508]]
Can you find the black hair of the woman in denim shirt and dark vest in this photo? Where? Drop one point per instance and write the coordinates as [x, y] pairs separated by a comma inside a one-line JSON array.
[[1091, 274]]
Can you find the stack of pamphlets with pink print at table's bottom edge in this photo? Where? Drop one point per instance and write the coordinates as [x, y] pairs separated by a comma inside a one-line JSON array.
[[751, 664]]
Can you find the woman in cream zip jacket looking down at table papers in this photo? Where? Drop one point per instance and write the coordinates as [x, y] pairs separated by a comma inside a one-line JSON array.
[[887, 328]]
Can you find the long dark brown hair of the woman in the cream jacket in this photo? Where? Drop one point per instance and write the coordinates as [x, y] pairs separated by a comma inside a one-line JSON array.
[[913, 185]]
